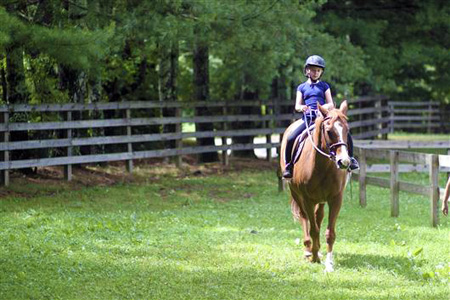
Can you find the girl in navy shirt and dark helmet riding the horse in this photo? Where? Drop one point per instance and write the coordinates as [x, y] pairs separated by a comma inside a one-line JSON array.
[[308, 94]]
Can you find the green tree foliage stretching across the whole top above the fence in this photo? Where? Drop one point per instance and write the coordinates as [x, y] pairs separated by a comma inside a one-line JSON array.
[[398, 48]]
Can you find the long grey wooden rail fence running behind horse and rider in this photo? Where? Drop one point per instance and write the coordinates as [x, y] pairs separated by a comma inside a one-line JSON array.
[[58, 134]]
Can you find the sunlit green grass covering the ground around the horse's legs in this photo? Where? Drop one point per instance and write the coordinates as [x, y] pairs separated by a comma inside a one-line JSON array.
[[228, 236]]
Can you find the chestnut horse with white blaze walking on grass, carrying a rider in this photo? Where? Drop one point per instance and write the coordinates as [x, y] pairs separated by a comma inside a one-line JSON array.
[[320, 176]]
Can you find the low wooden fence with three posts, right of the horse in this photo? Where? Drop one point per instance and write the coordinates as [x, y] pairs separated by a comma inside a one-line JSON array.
[[429, 162]]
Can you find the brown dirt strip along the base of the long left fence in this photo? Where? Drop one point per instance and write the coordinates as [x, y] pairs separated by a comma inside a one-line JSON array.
[[48, 180]]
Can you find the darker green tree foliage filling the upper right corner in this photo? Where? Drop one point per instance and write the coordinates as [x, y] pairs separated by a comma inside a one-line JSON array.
[[405, 44]]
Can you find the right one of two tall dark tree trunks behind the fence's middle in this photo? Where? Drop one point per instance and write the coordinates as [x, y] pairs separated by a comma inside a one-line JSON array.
[[201, 92]]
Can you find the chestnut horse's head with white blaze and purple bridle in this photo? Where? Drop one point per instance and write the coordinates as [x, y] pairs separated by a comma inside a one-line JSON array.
[[334, 130]]
